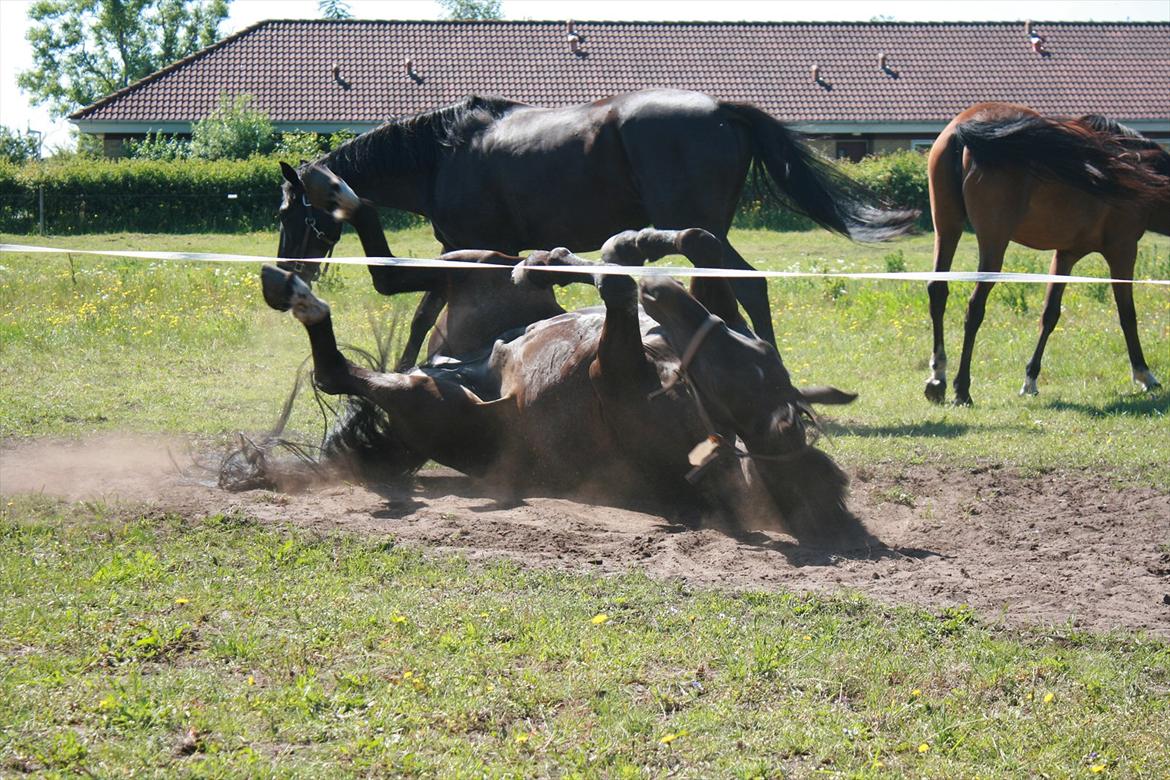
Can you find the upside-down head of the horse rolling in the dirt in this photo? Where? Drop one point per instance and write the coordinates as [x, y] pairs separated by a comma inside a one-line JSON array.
[[744, 386]]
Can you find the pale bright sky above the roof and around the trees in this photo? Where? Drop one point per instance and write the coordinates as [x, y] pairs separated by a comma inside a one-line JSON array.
[[16, 54]]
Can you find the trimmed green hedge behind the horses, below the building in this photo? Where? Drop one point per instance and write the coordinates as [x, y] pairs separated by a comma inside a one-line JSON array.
[[99, 196]]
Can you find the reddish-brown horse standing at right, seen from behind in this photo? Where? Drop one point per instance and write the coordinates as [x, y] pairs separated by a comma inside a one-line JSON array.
[[1076, 187]]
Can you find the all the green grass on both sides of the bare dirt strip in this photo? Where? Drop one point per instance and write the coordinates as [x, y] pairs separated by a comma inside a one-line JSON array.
[[216, 647]]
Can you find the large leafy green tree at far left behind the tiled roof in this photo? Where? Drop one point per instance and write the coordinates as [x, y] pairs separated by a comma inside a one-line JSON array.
[[86, 50]]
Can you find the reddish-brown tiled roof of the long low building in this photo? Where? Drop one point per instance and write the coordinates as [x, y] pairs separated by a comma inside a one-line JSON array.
[[1118, 70]]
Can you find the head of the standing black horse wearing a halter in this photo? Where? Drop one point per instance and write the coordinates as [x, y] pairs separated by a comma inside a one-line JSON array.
[[309, 229]]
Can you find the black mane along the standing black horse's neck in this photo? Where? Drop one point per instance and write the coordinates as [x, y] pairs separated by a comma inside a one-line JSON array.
[[417, 142]]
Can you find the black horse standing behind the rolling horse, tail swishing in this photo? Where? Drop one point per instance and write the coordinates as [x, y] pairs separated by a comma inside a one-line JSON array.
[[493, 174]]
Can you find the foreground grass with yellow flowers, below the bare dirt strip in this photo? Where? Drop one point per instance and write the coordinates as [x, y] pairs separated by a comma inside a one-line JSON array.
[[169, 647]]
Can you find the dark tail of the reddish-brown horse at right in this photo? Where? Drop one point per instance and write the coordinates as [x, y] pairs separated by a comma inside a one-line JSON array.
[[1103, 164]]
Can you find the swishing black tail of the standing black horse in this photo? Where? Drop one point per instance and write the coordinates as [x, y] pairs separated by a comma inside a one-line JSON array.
[[811, 185]]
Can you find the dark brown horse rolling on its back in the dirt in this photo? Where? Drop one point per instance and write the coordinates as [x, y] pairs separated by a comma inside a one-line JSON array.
[[611, 399]]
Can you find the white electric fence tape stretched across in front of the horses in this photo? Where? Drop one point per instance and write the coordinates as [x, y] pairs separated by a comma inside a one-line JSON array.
[[617, 271]]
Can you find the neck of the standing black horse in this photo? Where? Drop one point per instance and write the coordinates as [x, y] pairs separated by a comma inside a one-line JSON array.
[[387, 168]]
